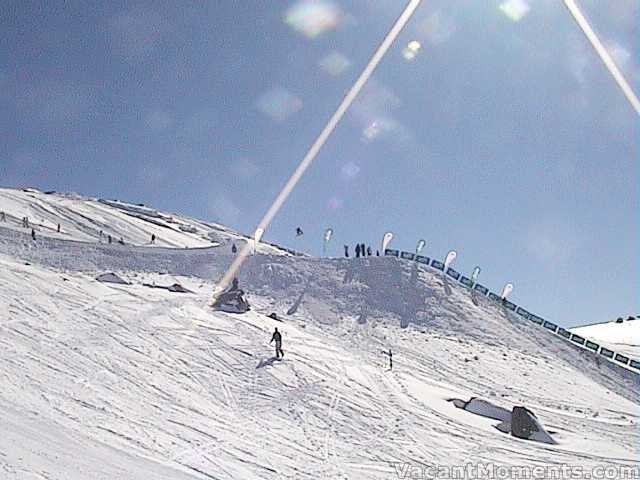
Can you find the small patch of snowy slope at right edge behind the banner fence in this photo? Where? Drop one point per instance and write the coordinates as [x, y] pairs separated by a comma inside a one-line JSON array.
[[621, 337]]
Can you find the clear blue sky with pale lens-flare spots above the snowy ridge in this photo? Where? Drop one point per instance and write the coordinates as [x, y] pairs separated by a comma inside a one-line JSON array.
[[502, 136]]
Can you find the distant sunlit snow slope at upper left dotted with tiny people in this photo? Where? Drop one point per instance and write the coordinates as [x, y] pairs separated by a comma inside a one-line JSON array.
[[84, 219]]
